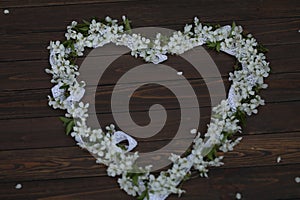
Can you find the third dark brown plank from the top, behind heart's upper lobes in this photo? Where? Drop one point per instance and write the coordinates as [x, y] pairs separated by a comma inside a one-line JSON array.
[[14, 77]]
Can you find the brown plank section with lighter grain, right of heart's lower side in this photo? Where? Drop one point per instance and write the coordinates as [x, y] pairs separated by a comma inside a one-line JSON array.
[[255, 149]]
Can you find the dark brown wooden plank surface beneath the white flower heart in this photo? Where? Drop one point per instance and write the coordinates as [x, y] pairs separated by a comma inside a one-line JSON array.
[[35, 152]]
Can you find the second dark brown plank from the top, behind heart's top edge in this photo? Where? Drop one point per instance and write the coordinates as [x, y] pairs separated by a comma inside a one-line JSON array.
[[267, 31]]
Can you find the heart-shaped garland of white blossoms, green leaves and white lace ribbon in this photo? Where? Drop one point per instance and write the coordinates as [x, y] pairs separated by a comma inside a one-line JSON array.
[[226, 120]]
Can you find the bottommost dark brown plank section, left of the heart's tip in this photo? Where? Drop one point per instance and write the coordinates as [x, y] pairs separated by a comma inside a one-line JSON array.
[[83, 188]]
